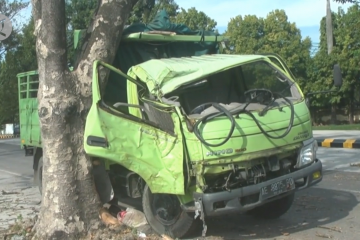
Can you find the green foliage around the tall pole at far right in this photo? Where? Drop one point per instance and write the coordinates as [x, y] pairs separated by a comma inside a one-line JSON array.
[[345, 52]]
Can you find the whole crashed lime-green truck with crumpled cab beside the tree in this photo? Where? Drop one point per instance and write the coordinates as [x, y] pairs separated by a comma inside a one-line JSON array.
[[190, 132]]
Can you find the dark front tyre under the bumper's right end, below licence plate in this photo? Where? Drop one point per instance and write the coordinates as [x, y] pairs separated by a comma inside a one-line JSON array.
[[273, 210]]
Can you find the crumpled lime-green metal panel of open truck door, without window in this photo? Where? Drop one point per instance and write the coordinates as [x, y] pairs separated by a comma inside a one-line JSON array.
[[153, 154]]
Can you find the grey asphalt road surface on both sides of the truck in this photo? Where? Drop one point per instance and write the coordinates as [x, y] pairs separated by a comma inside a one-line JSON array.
[[329, 210]]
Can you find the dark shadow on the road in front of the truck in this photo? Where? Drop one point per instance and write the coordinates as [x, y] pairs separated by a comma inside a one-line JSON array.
[[312, 207]]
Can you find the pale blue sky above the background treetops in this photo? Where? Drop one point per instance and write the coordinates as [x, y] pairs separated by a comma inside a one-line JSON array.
[[305, 13]]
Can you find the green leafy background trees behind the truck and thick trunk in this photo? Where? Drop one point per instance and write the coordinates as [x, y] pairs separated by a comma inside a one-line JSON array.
[[247, 33]]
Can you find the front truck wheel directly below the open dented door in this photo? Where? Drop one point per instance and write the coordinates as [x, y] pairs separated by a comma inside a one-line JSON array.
[[165, 215]]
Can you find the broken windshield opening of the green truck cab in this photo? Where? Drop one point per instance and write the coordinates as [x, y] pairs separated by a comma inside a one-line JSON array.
[[230, 86]]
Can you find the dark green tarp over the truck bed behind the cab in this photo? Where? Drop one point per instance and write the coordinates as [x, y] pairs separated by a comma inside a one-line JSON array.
[[131, 53]]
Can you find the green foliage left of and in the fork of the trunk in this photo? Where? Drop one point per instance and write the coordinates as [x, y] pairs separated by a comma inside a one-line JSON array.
[[21, 54]]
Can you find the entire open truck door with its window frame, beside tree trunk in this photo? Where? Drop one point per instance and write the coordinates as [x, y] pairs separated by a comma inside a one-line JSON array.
[[140, 145]]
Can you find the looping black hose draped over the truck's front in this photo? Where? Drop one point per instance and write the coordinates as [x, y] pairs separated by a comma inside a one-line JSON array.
[[230, 116]]
